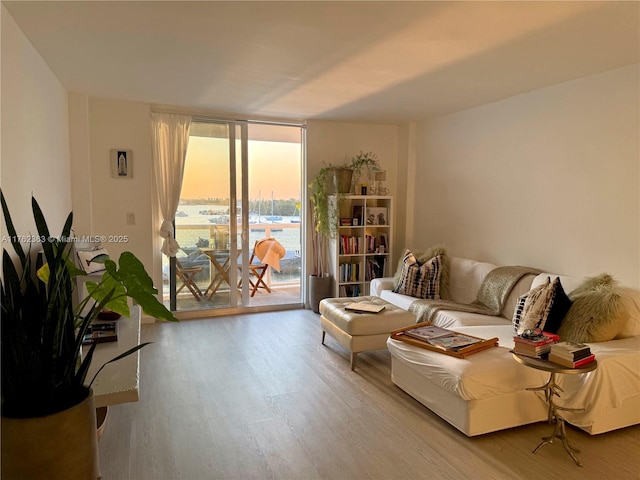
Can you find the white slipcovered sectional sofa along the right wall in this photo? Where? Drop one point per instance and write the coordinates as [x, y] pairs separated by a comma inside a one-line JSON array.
[[486, 391]]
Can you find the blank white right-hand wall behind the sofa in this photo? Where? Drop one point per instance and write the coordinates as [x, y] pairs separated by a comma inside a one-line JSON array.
[[549, 179]]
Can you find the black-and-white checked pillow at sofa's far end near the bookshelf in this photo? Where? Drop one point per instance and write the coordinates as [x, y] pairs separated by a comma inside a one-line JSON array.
[[420, 280]]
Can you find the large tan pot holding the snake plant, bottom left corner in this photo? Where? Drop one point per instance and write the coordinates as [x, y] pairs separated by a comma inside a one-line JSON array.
[[62, 445]]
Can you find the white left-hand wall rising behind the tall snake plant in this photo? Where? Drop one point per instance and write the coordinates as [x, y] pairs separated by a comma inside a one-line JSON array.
[[35, 134]]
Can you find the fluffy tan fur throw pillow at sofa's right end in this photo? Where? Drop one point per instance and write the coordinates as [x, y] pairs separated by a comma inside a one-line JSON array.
[[597, 313]]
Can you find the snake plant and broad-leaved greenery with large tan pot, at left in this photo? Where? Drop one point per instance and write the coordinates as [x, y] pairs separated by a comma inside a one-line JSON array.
[[48, 413]]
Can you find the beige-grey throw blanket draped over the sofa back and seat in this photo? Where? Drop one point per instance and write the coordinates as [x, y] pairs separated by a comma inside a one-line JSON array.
[[492, 295]]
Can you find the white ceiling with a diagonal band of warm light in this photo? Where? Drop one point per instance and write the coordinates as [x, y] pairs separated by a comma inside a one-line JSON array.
[[383, 62]]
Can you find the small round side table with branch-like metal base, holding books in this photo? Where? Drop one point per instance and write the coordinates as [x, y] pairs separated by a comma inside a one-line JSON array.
[[550, 389]]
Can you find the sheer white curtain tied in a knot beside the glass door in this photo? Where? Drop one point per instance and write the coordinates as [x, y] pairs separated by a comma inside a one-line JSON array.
[[169, 139]]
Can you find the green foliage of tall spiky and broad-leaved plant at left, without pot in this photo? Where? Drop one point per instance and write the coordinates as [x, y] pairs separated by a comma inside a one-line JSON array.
[[42, 330]]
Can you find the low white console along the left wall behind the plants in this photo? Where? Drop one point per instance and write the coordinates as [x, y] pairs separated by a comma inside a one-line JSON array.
[[118, 382]]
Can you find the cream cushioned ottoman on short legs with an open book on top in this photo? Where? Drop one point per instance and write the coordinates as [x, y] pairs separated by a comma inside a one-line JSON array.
[[359, 332]]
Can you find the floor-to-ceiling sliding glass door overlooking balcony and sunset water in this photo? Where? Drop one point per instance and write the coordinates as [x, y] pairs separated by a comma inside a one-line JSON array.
[[242, 184]]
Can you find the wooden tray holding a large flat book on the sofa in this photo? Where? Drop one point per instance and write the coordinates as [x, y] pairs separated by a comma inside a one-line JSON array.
[[442, 340]]
